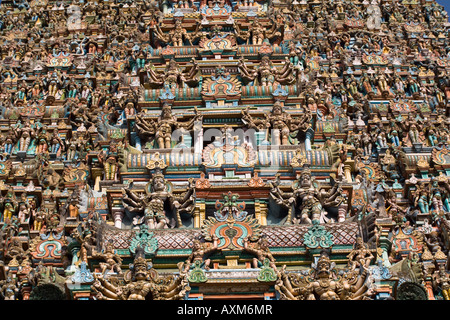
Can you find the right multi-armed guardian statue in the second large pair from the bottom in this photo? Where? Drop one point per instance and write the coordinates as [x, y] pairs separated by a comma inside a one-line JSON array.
[[307, 201]]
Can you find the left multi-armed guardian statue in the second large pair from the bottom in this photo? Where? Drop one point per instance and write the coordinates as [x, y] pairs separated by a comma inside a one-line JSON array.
[[159, 208]]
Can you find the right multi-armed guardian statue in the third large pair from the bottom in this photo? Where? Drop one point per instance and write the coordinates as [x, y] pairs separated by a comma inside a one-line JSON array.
[[281, 124]]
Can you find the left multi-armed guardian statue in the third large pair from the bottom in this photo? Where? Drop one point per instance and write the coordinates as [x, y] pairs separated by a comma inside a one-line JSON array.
[[163, 128]]
